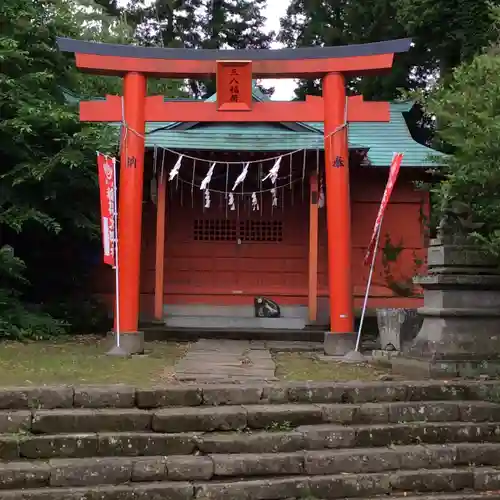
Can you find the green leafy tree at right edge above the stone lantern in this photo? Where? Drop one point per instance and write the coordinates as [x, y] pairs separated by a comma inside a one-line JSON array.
[[467, 109]]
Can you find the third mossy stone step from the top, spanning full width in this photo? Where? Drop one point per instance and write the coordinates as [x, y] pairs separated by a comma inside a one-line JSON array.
[[308, 437]]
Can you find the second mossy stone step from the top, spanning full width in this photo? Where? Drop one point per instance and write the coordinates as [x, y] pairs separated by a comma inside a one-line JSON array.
[[227, 418]]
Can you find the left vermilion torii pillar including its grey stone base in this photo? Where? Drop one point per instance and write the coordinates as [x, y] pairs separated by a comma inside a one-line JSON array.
[[130, 211]]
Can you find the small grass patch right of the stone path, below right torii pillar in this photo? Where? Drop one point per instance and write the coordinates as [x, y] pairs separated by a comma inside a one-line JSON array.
[[307, 367]]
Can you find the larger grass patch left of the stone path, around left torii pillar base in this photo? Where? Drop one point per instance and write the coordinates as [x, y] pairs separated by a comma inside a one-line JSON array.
[[82, 360]]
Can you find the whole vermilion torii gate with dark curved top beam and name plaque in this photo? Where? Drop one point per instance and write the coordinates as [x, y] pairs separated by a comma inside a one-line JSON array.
[[234, 70]]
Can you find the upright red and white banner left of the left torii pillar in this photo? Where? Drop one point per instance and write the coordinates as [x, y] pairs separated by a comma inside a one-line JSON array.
[[107, 175]]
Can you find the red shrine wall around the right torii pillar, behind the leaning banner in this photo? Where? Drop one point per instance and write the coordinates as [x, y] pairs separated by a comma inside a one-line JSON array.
[[402, 243]]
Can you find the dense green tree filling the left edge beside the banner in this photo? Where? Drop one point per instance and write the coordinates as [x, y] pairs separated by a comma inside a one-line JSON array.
[[48, 194]]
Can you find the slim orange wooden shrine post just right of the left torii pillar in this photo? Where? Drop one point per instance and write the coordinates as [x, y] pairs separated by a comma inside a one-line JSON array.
[[160, 247]]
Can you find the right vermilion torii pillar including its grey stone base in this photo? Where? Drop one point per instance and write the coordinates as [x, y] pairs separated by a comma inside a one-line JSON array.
[[341, 338]]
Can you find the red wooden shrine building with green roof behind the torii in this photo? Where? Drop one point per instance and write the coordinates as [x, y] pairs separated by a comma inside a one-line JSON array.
[[216, 260]]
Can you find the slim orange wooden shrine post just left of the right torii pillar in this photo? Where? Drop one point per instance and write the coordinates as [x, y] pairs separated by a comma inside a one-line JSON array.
[[313, 249]]
